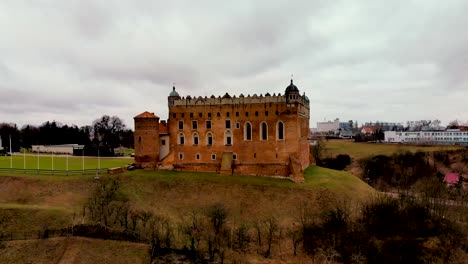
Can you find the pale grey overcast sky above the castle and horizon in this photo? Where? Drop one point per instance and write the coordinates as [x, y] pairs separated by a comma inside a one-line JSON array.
[[73, 61]]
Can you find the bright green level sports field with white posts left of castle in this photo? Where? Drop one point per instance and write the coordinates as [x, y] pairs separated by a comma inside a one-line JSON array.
[[44, 162]]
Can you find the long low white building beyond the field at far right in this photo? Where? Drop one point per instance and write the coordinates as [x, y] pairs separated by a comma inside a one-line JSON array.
[[446, 137]]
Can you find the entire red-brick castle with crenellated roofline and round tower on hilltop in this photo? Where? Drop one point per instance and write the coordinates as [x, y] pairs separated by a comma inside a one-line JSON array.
[[256, 135]]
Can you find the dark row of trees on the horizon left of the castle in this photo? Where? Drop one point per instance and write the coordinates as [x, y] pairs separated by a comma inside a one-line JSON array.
[[105, 131]]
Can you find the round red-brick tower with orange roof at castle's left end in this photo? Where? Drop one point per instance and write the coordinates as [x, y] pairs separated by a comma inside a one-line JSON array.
[[146, 140]]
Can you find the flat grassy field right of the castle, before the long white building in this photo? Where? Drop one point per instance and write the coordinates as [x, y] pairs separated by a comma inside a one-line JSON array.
[[362, 149]]
